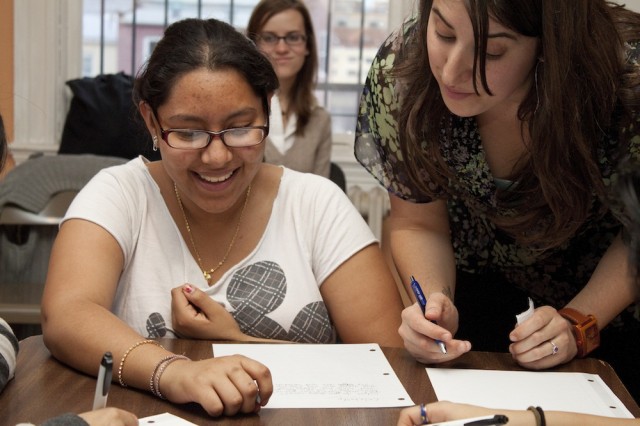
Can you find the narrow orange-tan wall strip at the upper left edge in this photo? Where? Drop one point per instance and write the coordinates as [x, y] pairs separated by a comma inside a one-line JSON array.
[[6, 65]]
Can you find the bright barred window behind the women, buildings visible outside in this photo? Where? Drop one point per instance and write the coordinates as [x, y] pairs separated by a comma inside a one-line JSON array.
[[112, 27]]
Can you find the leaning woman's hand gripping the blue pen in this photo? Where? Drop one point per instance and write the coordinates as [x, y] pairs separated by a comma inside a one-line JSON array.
[[420, 333]]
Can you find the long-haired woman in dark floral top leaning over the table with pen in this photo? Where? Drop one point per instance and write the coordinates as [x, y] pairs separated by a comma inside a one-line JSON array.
[[497, 127]]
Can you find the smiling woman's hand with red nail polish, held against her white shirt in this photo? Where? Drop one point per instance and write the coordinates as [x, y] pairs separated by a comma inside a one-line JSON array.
[[196, 315]]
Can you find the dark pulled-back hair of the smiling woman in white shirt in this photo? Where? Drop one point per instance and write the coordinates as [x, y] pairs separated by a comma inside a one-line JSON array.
[[192, 44]]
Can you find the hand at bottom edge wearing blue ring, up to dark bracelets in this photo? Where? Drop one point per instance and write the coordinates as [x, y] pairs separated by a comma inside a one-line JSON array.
[[443, 411]]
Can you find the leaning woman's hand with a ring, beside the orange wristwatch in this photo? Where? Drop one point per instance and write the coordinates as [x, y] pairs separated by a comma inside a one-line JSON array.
[[542, 341]]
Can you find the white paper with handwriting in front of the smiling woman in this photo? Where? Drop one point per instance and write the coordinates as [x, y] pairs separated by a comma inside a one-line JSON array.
[[325, 376]]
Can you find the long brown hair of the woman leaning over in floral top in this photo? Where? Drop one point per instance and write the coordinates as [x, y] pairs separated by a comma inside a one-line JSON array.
[[583, 84]]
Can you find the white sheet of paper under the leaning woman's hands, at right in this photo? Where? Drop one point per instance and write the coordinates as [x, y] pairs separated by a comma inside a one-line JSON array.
[[575, 392]]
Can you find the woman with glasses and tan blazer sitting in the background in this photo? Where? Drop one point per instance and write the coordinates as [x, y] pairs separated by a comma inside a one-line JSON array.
[[300, 129]]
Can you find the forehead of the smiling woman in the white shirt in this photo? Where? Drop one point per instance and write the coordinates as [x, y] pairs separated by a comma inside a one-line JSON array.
[[213, 90]]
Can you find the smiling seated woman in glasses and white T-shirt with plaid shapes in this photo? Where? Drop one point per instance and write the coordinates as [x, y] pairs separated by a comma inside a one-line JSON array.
[[210, 242]]
